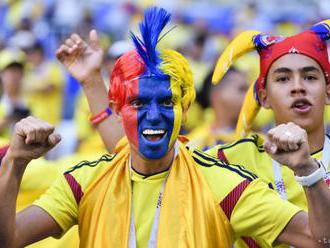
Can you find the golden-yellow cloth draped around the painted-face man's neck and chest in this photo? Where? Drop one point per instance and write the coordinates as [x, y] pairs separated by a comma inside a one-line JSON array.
[[112, 188]]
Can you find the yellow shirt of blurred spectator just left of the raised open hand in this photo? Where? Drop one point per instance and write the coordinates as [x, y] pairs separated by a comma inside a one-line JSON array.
[[44, 105]]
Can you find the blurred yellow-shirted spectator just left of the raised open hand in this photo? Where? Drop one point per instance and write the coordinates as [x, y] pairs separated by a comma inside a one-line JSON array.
[[43, 85]]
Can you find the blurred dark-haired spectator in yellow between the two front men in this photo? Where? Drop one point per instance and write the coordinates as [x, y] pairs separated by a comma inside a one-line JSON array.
[[225, 100]]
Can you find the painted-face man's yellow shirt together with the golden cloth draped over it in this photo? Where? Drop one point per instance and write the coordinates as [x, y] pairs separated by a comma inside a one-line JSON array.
[[183, 220]]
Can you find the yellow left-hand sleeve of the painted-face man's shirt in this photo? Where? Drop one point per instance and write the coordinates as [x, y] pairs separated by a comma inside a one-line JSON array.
[[60, 203]]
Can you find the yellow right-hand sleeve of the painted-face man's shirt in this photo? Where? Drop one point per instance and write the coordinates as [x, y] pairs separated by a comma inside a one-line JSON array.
[[260, 213]]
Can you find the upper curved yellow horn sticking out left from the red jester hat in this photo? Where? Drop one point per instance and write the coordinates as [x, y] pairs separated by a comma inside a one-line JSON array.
[[242, 44]]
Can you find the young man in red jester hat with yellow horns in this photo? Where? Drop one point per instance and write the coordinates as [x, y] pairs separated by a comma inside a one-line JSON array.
[[294, 84]]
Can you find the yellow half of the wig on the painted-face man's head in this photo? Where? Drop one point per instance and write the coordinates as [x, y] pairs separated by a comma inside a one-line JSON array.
[[177, 67]]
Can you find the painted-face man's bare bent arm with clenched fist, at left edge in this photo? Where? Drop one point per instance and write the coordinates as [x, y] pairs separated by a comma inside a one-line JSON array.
[[30, 140]]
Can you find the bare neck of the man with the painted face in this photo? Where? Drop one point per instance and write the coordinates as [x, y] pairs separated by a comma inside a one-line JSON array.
[[151, 166]]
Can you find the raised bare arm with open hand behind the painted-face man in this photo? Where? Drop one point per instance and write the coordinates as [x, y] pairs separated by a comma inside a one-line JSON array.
[[84, 62]]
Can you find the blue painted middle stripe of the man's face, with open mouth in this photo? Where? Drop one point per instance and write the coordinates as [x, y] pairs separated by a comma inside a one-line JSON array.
[[155, 117]]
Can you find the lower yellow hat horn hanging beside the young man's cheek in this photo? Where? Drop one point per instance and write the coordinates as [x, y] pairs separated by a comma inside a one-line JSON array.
[[248, 113]]
